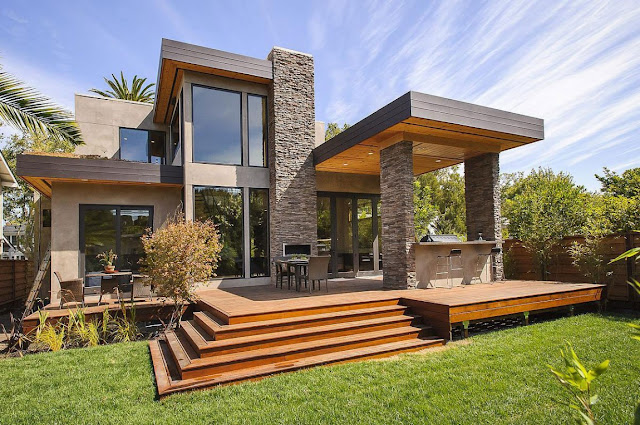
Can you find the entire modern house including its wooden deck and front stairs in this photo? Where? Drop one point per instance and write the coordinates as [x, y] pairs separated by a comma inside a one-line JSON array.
[[234, 139]]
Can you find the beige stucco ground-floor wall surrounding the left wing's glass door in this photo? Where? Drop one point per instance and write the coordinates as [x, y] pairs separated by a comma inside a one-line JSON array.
[[65, 217]]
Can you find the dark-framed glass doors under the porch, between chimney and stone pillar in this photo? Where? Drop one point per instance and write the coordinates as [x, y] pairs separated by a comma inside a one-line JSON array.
[[348, 231]]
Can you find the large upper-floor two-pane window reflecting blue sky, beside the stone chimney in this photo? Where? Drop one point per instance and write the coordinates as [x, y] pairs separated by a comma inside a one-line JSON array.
[[221, 134]]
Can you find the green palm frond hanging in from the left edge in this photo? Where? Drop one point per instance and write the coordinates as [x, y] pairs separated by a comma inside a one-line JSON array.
[[30, 112]]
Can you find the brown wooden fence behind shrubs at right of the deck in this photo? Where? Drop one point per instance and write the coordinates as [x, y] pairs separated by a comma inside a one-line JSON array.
[[520, 264]]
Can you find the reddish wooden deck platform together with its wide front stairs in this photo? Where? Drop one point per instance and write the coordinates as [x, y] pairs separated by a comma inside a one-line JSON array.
[[251, 333]]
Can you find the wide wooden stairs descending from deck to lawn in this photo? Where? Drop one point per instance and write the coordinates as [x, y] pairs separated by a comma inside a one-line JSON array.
[[208, 351]]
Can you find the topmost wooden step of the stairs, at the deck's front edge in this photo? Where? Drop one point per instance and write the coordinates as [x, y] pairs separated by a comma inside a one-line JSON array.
[[291, 310]]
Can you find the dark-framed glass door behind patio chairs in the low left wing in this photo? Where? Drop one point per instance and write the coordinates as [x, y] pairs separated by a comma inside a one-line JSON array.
[[117, 228]]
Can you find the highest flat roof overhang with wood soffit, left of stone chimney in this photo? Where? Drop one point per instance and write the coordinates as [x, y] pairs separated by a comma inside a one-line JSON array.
[[177, 57]]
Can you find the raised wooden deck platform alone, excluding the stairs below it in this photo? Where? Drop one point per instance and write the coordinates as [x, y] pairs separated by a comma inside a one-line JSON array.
[[442, 306]]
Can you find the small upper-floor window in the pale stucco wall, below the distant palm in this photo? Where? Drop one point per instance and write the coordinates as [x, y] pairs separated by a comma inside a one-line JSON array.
[[142, 145]]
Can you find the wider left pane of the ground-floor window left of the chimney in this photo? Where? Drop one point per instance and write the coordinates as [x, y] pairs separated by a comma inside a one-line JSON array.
[[224, 207]]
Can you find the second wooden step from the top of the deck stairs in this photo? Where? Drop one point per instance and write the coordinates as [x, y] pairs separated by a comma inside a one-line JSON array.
[[219, 331]]
